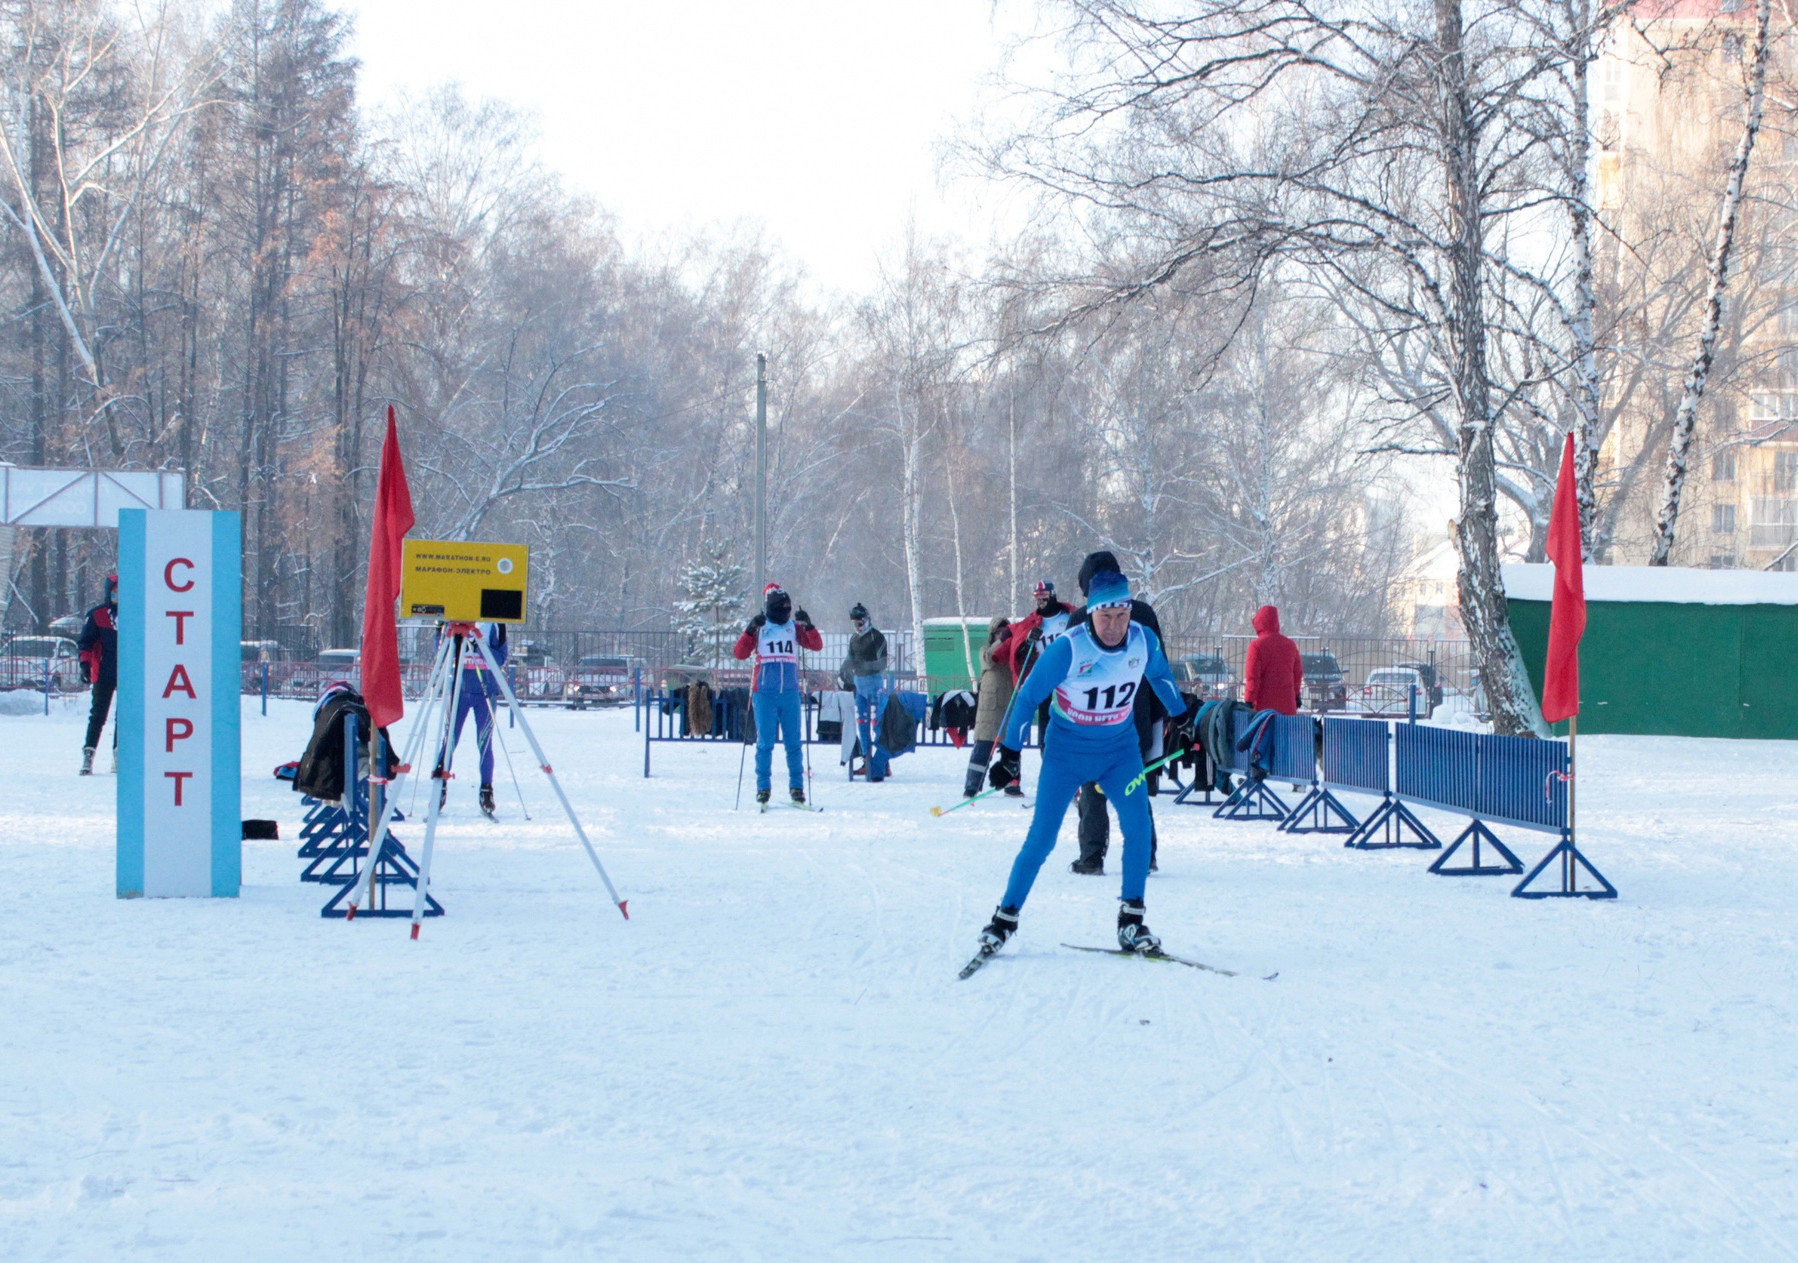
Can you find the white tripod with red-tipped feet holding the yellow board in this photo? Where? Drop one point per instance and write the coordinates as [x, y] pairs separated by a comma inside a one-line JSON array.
[[445, 688]]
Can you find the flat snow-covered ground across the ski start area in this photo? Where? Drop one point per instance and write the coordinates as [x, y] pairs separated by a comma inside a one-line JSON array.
[[774, 1059]]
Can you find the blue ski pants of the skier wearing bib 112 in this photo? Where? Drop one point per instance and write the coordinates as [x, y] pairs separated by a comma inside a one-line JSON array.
[[1071, 760]]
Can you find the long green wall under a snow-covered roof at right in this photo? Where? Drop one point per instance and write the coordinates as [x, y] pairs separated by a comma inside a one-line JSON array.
[[1678, 670]]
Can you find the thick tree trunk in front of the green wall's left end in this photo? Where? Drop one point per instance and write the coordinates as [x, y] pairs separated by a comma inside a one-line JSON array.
[[1482, 591]]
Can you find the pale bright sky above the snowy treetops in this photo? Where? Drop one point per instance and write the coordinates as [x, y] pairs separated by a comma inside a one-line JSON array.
[[819, 118]]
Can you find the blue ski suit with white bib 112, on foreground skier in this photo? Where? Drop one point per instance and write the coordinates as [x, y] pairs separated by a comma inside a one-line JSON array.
[[1090, 739]]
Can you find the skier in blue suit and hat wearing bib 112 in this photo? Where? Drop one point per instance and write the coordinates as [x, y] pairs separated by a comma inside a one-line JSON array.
[[1090, 677]]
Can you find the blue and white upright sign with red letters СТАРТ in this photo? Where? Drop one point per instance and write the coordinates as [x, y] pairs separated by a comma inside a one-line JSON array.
[[181, 631]]
